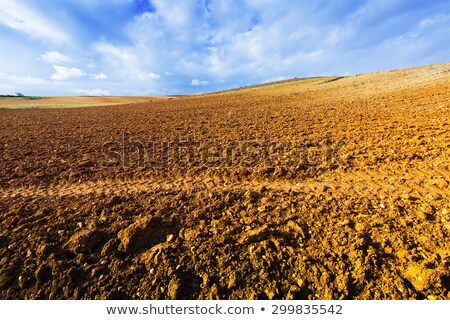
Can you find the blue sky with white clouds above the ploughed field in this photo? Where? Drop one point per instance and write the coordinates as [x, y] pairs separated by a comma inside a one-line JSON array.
[[157, 47]]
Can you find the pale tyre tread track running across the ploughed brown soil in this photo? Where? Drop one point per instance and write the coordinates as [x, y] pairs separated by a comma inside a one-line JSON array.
[[361, 183]]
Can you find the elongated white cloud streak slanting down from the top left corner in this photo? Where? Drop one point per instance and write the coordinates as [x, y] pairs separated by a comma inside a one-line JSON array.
[[17, 16]]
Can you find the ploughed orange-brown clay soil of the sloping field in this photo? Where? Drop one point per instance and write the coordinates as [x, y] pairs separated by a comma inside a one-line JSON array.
[[323, 188]]
